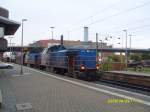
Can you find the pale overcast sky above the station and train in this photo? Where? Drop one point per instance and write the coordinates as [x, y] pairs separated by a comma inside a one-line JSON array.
[[106, 17]]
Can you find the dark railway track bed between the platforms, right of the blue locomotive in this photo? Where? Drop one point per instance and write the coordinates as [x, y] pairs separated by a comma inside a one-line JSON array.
[[126, 79]]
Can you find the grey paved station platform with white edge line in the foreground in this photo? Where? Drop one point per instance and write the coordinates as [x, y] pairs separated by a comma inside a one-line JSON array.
[[47, 92]]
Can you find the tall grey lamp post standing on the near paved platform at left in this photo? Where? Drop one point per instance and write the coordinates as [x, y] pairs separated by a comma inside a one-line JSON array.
[[21, 71]]
